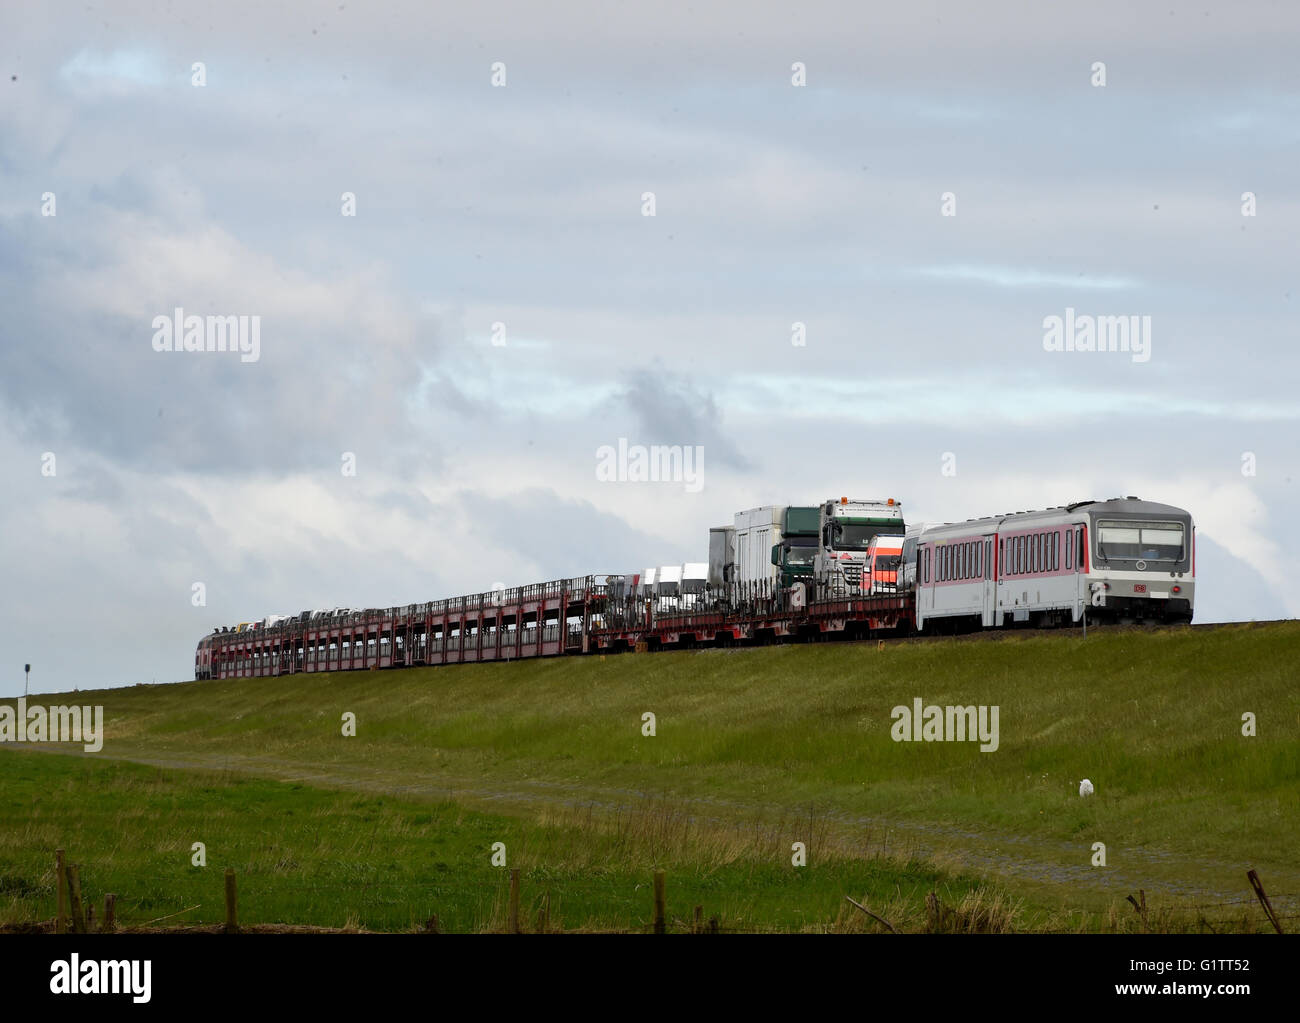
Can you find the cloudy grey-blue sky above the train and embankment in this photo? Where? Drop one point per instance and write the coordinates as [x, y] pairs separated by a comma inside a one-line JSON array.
[[864, 219]]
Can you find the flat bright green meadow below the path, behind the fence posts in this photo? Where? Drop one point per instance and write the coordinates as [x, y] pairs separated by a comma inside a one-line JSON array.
[[327, 859]]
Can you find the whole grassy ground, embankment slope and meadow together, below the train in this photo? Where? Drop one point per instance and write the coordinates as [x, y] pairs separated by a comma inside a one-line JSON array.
[[755, 749]]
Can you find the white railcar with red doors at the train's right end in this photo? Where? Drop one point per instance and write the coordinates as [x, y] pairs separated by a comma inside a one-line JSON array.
[[1123, 560]]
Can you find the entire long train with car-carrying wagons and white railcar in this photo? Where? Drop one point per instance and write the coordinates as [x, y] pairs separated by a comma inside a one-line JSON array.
[[1124, 560]]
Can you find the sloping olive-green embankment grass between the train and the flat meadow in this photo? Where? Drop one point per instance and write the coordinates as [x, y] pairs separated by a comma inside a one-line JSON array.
[[764, 738]]
